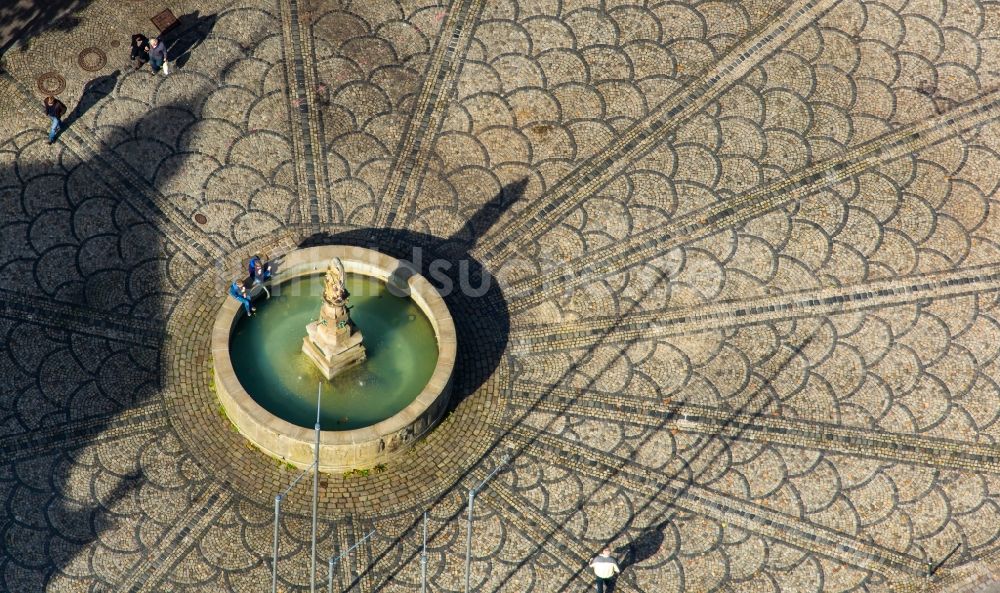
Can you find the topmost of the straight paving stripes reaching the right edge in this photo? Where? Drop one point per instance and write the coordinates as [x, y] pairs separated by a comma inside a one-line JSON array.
[[639, 246]]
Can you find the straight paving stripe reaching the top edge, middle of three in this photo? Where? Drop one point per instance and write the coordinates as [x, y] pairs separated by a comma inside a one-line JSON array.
[[414, 149]]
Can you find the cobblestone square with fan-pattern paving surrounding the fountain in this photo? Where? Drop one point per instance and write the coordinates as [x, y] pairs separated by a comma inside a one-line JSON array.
[[742, 321]]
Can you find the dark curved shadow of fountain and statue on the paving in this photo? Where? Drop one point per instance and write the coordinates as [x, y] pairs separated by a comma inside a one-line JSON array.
[[473, 296]]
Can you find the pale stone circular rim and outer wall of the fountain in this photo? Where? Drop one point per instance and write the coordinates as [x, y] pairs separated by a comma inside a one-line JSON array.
[[343, 449]]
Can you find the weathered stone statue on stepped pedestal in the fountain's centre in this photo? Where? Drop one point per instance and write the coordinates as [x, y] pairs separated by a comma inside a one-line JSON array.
[[332, 342]]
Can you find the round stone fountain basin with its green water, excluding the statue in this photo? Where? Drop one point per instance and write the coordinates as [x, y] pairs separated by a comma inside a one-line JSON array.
[[369, 412]]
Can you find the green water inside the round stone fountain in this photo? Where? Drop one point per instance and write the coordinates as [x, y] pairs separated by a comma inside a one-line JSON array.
[[266, 351]]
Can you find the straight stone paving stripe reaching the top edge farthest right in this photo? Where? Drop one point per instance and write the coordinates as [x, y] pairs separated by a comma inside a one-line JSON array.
[[597, 171]]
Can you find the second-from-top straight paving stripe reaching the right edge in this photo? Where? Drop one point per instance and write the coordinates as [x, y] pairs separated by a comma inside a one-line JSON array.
[[791, 305]]
